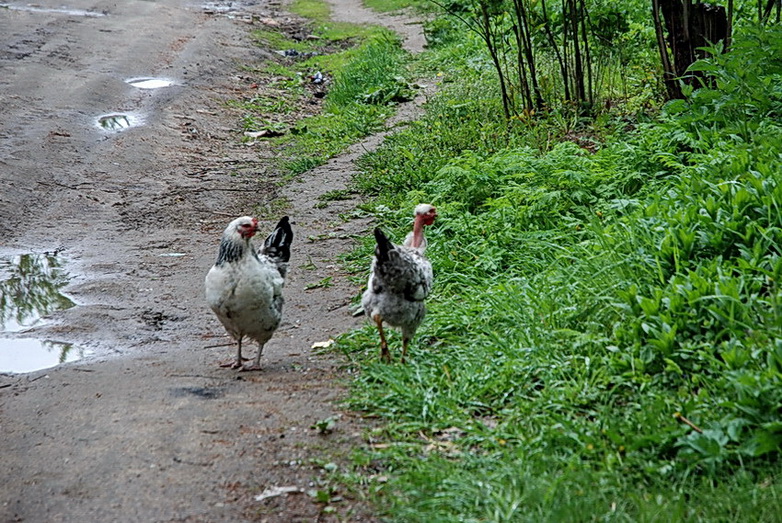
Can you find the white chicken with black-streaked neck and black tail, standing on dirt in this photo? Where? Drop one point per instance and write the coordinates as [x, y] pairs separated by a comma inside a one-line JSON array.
[[244, 287]]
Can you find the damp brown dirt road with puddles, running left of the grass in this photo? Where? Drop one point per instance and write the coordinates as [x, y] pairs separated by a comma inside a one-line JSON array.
[[149, 429]]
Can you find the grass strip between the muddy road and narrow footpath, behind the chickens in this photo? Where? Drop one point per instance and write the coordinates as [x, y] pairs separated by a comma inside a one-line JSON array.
[[332, 84]]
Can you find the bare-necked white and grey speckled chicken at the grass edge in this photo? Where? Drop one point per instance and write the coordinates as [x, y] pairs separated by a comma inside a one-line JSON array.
[[400, 280]]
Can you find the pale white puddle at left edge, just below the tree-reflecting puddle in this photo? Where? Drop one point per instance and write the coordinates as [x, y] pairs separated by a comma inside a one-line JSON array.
[[28, 355]]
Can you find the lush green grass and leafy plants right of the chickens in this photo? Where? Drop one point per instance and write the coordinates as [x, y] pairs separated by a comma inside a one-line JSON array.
[[604, 339]]
